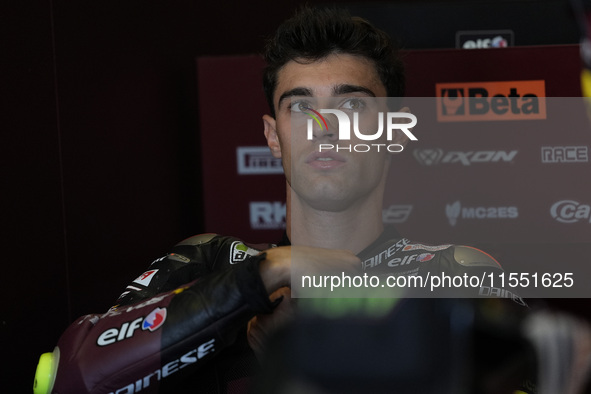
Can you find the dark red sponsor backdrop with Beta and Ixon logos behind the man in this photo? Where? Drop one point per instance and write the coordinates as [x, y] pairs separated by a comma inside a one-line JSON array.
[[502, 158]]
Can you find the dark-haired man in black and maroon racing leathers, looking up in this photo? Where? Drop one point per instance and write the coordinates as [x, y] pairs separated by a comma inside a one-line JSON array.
[[196, 320]]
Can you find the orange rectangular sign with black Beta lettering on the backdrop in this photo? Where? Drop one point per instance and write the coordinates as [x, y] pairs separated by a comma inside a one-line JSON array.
[[490, 101]]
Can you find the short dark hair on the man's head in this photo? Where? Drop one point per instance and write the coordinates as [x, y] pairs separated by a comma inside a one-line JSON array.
[[314, 33]]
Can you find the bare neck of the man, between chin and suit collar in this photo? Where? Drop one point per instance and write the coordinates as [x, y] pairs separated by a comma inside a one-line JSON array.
[[352, 229]]
